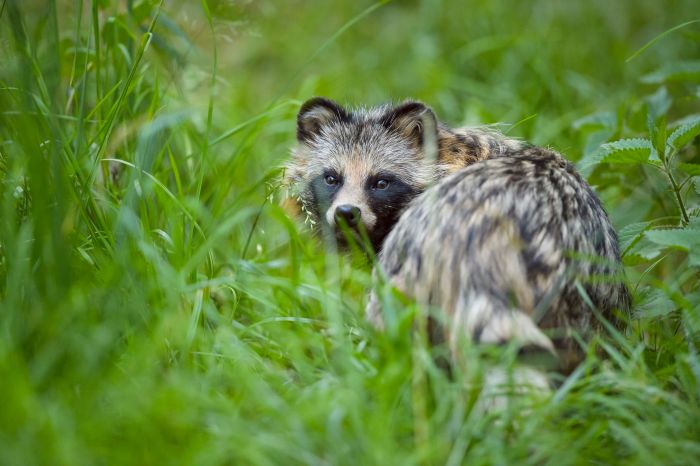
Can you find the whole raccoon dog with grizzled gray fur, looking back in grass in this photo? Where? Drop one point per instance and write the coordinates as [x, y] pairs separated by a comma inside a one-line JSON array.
[[505, 239]]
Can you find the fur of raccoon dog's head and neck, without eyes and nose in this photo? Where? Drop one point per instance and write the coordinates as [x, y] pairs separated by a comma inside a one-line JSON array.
[[404, 144]]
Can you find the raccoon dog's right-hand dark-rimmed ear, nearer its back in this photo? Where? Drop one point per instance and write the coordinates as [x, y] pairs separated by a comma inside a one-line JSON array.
[[412, 120]]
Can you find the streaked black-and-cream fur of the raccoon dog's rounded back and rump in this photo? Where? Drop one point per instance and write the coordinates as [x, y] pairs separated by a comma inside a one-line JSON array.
[[505, 248]]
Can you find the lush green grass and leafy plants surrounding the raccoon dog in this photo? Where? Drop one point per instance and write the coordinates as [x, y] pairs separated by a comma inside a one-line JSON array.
[[157, 306]]
